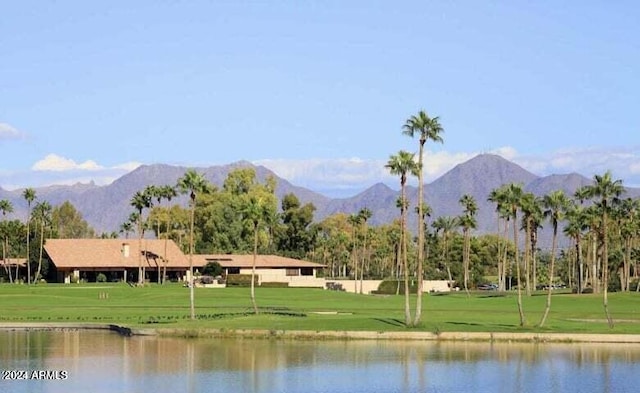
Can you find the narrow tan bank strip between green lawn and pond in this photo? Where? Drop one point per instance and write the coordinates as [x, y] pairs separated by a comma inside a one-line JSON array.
[[336, 335]]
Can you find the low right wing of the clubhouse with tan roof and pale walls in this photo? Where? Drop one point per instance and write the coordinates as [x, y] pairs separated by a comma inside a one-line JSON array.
[[269, 268]]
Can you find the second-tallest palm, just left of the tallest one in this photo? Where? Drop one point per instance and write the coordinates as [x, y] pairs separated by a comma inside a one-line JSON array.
[[401, 164]]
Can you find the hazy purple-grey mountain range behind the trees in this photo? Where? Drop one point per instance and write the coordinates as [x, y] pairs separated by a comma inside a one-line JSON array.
[[106, 207]]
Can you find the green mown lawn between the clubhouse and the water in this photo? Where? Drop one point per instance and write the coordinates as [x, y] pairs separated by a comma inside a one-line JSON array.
[[309, 309]]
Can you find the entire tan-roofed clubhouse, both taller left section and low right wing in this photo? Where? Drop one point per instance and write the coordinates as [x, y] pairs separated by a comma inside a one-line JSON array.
[[119, 259]]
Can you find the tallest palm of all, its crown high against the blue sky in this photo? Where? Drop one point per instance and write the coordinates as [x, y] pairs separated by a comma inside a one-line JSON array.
[[427, 128]]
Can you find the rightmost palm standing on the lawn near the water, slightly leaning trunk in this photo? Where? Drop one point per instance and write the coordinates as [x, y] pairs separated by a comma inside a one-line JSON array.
[[604, 190]]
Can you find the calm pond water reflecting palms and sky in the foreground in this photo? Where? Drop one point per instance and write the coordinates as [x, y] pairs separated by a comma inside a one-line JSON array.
[[105, 362]]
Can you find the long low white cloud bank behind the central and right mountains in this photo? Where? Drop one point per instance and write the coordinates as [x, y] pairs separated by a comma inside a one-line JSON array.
[[347, 176]]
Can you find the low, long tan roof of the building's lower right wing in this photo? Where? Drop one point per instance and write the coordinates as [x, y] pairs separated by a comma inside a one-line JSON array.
[[246, 260]]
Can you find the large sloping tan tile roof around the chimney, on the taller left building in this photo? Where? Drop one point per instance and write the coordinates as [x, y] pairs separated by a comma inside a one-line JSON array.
[[109, 253]]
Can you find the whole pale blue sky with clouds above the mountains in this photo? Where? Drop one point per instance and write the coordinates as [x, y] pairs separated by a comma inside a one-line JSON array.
[[316, 90]]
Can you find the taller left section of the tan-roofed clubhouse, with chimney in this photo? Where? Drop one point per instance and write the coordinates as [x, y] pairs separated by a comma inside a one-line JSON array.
[[117, 259]]
